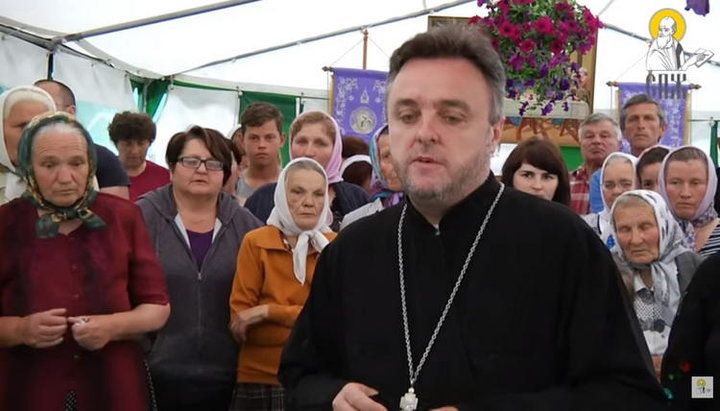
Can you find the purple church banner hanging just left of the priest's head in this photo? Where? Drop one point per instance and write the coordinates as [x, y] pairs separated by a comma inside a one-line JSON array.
[[359, 101]]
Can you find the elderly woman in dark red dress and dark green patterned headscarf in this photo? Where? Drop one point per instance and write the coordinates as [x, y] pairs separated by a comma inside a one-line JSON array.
[[79, 282]]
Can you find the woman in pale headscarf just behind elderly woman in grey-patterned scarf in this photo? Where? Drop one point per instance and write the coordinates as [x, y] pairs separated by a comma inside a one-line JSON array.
[[617, 176]]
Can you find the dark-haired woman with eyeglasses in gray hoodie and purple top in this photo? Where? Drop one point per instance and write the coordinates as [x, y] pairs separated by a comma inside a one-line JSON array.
[[197, 231]]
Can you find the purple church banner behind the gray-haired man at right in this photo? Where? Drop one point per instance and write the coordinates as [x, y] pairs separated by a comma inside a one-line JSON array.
[[673, 100]]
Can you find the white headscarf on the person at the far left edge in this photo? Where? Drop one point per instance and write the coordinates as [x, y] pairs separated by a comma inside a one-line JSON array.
[[14, 185]]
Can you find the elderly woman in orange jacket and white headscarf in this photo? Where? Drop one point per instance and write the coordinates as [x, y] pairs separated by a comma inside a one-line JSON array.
[[275, 269]]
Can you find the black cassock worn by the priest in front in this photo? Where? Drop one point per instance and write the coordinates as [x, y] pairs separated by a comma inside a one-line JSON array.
[[539, 322]]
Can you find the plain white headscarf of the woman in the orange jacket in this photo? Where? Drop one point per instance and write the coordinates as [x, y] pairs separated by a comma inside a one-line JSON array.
[[281, 218]]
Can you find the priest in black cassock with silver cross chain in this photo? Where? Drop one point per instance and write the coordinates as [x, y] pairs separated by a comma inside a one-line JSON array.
[[469, 295]]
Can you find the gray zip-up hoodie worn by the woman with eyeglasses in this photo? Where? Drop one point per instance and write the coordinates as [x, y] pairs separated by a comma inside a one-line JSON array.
[[195, 346]]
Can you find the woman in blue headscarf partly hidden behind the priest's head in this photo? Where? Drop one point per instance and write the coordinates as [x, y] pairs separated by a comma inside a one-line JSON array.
[[385, 183]]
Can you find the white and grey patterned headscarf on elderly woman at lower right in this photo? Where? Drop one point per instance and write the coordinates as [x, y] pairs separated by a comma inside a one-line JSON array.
[[671, 244]]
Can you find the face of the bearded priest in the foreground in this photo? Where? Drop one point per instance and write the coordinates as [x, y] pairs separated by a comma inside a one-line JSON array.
[[441, 139]]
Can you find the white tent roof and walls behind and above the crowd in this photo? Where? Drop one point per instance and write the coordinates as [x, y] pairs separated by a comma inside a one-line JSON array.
[[281, 46]]
